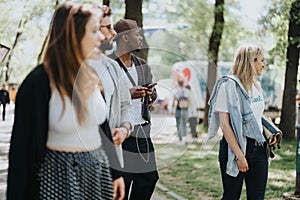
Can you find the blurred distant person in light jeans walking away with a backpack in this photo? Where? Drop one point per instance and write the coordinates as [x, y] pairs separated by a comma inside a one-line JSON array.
[[181, 100]]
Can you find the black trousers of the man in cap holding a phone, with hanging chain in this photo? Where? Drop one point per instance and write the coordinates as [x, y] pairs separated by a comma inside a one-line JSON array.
[[139, 164]]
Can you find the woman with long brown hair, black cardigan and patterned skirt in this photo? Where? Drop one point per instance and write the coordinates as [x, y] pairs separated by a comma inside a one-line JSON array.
[[56, 150]]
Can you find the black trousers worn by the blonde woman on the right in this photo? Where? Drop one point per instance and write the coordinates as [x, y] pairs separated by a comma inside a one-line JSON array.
[[255, 178]]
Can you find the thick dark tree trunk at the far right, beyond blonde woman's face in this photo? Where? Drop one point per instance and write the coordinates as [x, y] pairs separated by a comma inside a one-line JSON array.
[[288, 114]]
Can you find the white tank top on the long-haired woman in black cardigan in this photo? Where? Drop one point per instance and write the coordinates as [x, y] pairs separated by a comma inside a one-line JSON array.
[[64, 129]]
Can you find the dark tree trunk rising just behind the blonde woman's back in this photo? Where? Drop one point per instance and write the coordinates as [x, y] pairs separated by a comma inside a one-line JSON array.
[[214, 44]]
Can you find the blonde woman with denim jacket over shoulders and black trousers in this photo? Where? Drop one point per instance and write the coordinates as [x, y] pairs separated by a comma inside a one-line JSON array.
[[237, 106]]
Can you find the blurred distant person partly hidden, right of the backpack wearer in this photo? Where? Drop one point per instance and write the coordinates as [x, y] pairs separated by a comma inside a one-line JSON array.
[[192, 114]]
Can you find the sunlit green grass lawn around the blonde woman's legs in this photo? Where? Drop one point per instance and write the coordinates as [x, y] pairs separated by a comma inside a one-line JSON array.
[[192, 171]]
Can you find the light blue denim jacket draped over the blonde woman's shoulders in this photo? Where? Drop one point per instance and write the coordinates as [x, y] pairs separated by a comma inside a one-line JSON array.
[[242, 119]]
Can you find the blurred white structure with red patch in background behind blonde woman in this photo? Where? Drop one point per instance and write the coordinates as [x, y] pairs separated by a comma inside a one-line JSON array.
[[194, 73]]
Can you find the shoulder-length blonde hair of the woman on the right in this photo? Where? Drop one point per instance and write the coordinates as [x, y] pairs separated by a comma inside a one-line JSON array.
[[243, 65]]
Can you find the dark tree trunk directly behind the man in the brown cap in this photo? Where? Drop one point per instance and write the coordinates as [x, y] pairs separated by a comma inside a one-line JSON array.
[[134, 11]]
